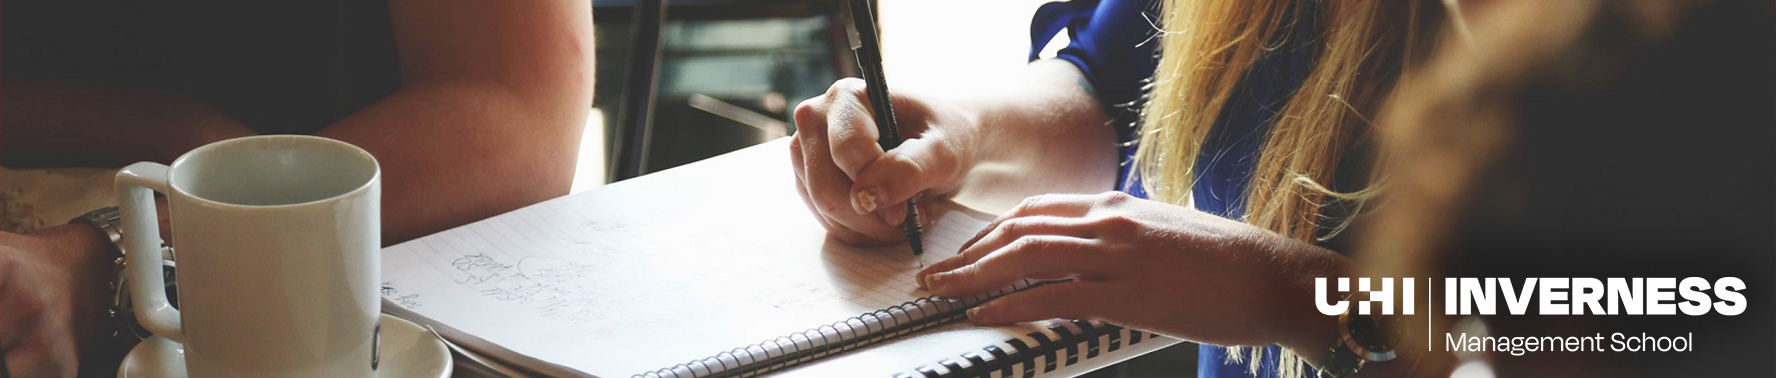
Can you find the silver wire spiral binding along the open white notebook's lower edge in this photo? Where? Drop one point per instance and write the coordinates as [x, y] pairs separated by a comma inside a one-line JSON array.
[[846, 335]]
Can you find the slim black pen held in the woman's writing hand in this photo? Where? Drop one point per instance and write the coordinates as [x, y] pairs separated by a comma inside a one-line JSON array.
[[868, 49]]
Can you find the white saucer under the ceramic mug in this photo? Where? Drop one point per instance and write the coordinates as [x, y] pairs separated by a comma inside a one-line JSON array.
[[408, 350]]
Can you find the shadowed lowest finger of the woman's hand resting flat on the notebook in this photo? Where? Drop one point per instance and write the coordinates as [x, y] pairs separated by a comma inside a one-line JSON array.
[[1068, 301]]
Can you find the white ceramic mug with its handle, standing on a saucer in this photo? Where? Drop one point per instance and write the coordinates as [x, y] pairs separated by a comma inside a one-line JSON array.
[[278, 246]]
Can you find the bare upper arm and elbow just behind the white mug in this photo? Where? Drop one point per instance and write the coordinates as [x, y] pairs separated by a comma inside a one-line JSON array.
[[489, 114]]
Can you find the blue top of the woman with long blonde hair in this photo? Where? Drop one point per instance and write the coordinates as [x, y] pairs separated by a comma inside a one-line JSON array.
[[1114, 45]]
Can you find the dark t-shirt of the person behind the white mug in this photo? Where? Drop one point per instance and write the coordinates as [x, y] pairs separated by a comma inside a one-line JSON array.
[[276, 67]]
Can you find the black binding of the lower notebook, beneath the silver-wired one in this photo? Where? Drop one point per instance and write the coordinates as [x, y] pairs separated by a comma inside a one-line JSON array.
[[1070, 338]]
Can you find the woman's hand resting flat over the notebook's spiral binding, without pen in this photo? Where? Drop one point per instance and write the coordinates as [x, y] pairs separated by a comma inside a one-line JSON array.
[[1145, 265]]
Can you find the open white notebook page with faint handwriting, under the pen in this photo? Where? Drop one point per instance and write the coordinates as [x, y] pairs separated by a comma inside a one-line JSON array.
[[653, 272]]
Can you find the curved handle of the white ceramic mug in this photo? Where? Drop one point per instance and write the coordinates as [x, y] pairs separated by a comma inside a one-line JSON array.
[[141, 242]]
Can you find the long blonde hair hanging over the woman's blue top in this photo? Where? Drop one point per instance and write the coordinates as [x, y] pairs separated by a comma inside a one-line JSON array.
[[1360, 49]]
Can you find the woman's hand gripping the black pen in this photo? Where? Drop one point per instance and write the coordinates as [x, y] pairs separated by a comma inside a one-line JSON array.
[[857, 189]]
